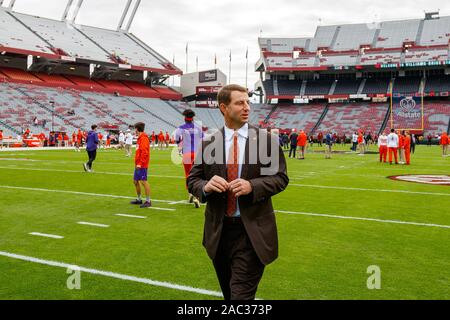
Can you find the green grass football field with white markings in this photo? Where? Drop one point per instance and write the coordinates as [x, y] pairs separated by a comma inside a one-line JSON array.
[[321, 257]]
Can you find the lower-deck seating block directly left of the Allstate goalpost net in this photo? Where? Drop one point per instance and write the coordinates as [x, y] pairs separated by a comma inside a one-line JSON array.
[[347, 118]]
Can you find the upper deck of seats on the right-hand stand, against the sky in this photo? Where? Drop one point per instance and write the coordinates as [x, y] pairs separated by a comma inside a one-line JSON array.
[[385, 45]]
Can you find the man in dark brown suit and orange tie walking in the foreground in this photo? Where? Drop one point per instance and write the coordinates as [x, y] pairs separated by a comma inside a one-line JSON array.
[[237, 172]]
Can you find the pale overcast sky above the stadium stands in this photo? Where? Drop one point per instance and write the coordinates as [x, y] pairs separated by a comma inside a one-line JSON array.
[[214, 27]]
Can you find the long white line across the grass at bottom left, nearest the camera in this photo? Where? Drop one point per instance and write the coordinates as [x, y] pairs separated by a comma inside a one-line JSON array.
[[112, 275]]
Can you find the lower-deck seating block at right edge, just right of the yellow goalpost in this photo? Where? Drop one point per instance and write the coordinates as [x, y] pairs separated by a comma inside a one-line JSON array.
[[436, 117]]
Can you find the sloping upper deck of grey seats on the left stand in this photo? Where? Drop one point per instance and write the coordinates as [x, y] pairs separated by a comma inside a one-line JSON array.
[[47, 42]]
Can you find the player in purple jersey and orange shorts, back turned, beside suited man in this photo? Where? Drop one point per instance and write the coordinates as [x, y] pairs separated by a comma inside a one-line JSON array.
[[189, 137]]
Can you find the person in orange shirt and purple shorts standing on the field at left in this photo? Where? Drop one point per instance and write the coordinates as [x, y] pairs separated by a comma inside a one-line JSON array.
[[141, 161]]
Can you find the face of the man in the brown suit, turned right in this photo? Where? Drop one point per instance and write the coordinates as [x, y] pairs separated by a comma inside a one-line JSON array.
[[238, 111]]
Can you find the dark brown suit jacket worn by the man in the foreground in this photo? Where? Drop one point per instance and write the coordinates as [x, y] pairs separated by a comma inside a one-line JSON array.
[[256, 209]]
